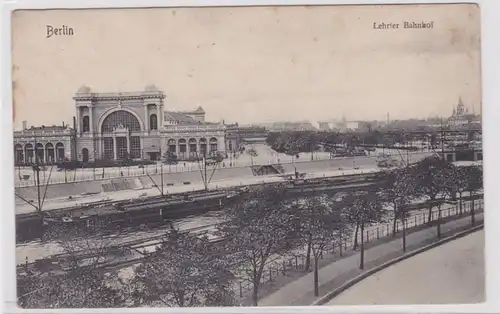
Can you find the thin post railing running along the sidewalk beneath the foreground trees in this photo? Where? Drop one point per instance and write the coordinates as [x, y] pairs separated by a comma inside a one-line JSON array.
[[296, 261]]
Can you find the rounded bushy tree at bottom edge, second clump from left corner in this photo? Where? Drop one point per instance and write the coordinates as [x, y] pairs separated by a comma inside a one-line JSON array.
[[182, 272]]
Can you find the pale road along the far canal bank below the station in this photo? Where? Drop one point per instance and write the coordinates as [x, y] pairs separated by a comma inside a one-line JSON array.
[[57, 196]]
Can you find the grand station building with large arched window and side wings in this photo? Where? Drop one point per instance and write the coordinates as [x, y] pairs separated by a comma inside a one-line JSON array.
[[116, 126]]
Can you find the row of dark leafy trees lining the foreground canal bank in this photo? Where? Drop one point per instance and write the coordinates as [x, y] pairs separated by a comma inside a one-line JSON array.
[[187, 270]]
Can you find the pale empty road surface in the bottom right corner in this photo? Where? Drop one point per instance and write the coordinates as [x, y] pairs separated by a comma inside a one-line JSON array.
[[451, 273]]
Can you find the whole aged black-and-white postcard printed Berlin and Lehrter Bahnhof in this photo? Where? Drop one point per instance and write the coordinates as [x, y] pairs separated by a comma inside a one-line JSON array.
[[248, 156]]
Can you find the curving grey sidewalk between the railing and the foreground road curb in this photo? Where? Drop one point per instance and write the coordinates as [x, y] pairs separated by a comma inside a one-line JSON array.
[[301, 291]]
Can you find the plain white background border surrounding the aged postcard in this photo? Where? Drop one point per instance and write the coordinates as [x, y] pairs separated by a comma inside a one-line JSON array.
[[490, 45]]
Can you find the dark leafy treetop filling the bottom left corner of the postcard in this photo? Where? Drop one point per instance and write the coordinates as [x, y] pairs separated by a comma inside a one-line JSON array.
[[79, 282]]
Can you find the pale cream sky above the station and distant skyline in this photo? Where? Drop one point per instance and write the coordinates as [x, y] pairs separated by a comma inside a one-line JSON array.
[[253, 64]]
